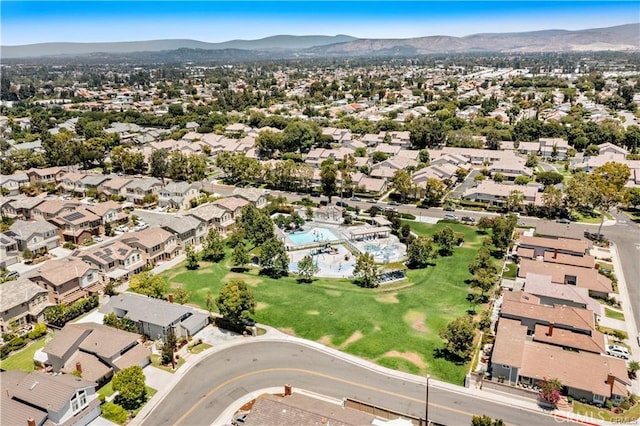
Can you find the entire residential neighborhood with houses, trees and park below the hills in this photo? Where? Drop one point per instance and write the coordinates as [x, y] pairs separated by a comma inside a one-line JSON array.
[[383, 226]]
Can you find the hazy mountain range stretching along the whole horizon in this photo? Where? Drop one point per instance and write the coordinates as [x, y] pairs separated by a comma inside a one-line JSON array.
[[618, 38]]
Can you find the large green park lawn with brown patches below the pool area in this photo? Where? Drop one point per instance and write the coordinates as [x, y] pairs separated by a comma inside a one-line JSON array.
[[396, 325]]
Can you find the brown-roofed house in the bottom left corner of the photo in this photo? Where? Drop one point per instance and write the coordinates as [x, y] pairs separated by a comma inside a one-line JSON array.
[[36, 399]]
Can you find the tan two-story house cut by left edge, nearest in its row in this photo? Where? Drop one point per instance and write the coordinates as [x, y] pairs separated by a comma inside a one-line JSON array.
[[22, 302]]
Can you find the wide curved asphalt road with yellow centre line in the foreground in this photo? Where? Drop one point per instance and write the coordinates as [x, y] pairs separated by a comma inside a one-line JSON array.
[[219, 380]]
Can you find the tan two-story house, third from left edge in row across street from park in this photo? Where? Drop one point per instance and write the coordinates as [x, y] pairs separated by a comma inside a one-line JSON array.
[[115, 261]]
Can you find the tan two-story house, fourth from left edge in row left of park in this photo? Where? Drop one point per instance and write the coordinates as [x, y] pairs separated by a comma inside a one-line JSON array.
[[156, 244]]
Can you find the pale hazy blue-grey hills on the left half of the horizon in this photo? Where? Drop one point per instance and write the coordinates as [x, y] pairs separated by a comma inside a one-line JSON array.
[[283, 42]]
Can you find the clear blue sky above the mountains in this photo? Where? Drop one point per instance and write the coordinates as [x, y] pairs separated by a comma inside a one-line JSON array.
[[24, 21]]
